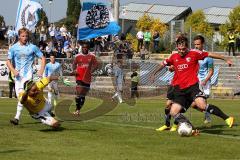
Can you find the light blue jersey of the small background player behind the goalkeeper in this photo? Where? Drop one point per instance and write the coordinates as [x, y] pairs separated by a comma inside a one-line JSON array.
[[53, 69]]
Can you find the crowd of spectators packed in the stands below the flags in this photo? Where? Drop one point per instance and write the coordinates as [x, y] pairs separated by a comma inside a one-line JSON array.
[[51, 38]]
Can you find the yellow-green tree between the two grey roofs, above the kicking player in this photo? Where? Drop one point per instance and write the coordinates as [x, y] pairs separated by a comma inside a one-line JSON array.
[[198, 24]]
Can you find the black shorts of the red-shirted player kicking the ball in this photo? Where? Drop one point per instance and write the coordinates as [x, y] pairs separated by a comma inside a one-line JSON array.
[[186, 96]]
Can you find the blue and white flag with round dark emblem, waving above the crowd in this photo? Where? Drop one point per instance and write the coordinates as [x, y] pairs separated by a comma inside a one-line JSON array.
[[96, 20]]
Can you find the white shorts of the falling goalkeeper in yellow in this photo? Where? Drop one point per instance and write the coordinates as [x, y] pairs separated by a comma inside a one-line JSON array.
[[44, 115]]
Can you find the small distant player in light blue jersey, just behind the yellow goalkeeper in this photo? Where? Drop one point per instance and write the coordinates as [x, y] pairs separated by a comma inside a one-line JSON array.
[[53, 68]]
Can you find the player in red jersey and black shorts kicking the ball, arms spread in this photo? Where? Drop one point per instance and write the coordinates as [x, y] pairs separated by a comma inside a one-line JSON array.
[[186, 89]]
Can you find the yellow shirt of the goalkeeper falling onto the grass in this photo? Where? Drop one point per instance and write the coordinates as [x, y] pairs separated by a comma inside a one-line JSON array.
[[36, 104]]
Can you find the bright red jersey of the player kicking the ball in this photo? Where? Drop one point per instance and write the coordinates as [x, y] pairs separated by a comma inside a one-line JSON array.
[[186, 67]]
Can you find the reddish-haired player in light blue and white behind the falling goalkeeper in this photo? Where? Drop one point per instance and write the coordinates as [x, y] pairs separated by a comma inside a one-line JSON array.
[[20, 60]]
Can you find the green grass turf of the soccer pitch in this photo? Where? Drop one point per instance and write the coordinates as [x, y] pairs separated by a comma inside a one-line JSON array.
[[125, 133]]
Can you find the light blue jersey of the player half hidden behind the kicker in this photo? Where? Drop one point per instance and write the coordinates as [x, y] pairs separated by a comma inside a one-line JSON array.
[[204, 66]]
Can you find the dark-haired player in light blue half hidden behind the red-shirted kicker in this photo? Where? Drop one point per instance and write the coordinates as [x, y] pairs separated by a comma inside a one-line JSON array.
[[205, 72]]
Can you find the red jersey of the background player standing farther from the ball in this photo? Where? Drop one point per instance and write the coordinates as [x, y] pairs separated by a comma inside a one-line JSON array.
[[84, 64]]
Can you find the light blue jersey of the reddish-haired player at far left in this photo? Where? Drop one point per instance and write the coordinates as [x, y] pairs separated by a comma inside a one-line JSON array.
[[22, 57]]
